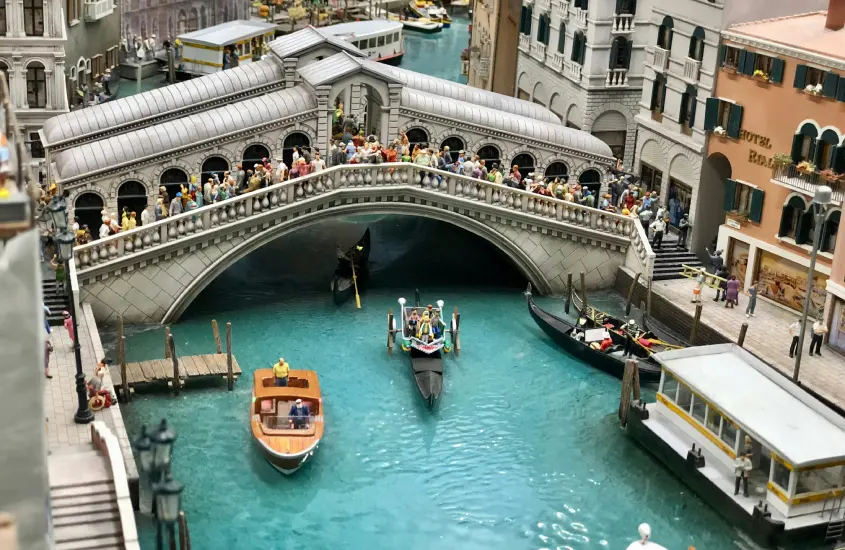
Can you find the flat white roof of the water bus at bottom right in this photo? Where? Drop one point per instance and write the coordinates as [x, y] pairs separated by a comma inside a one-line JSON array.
[[763, 403]]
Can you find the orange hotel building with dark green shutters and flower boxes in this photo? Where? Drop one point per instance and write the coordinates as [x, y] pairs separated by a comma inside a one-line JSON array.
[[776, 131]]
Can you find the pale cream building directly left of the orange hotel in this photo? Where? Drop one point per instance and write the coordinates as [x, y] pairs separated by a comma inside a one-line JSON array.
[[681, 40]]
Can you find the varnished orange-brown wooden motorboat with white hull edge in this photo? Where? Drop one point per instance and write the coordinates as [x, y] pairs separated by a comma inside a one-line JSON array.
[[286, 442]]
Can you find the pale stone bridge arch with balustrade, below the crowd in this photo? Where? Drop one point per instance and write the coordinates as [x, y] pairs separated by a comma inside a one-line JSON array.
[[152, 273]]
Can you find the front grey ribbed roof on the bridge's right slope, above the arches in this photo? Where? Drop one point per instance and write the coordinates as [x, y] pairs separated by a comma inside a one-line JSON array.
[[505, 121]]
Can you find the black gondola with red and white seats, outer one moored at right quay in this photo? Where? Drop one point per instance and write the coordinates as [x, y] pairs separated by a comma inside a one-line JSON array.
[[578, 342]]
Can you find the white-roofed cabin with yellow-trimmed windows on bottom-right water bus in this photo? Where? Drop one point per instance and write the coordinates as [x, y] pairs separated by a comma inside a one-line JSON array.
[[728, 402]]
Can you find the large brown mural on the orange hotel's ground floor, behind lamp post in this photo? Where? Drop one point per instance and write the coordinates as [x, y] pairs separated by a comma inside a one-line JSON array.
[[785, 282]]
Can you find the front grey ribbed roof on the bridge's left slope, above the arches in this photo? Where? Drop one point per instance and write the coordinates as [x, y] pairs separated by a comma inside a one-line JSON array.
[[182, 132]]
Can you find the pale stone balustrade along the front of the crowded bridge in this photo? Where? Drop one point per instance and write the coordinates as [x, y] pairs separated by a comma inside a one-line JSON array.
[[350, 176]]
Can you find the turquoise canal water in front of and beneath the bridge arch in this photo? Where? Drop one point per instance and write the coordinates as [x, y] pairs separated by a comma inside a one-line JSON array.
[[523, 452]]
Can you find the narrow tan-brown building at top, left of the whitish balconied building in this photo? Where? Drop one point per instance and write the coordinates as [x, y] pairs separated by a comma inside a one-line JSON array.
[[495, 30]]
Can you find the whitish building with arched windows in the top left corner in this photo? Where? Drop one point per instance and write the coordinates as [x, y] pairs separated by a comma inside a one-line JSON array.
[[32, 54]]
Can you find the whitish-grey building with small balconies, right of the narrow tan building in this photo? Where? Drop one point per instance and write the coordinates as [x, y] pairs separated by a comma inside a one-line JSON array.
[[584, 61]]
